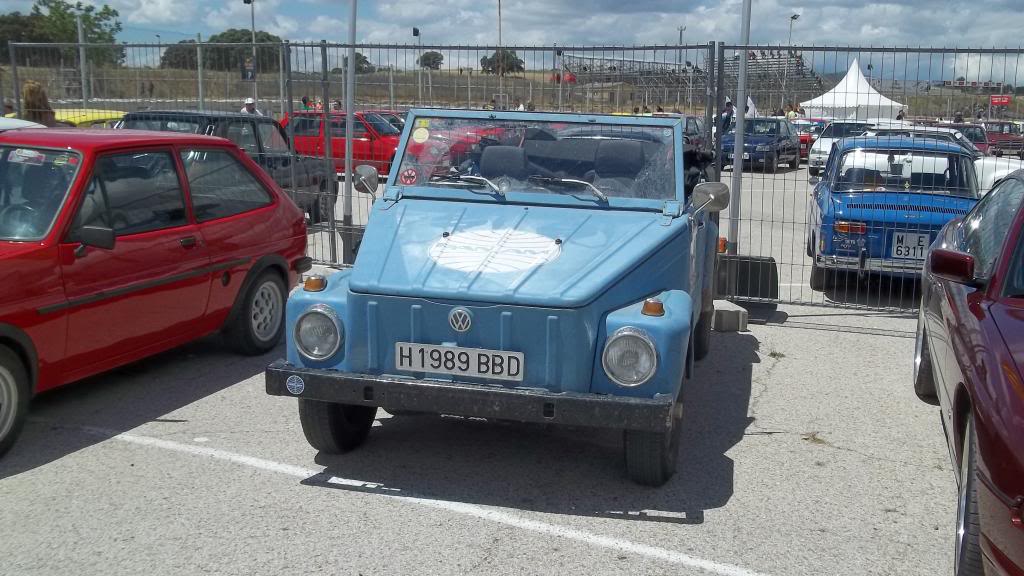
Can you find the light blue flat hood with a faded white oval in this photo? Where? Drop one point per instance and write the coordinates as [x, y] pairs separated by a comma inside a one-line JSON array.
[[502, 254]]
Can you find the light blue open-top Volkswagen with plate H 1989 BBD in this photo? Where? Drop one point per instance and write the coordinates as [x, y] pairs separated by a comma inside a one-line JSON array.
[[541, 268]]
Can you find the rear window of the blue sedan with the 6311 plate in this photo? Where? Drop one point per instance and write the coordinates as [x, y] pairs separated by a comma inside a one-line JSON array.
[[907, 172]]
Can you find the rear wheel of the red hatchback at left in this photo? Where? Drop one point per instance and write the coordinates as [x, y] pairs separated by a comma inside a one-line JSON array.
[[261, 322]]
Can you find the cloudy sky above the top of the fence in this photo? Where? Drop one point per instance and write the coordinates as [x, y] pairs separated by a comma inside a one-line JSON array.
[[936, 23]]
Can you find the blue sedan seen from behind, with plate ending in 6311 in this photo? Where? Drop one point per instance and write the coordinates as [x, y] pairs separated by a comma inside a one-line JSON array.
[[882, 201]]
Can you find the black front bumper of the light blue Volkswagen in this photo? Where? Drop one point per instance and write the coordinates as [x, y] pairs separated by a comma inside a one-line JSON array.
[[472, 400]]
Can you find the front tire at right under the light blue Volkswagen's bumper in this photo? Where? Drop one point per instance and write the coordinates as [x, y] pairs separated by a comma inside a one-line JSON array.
[[652, 457]]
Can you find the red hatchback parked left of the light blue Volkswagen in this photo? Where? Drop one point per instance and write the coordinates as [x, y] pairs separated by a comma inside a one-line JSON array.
[[116, 245]]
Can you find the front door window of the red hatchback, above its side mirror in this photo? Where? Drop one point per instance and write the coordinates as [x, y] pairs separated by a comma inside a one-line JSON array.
[[133, 193]]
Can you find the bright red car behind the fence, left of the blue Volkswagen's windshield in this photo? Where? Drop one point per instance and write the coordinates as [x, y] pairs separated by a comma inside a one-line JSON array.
[[374, 139]]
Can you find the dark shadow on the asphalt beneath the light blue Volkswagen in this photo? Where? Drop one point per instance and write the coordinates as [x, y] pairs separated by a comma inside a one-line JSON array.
[[578, 472]]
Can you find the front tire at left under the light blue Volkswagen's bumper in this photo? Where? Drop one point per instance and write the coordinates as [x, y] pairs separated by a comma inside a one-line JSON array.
[[335, 429]]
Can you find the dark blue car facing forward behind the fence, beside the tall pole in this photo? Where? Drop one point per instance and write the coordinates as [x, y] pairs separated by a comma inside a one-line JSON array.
[[769, 142]]
